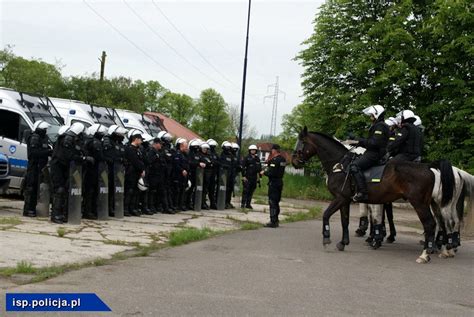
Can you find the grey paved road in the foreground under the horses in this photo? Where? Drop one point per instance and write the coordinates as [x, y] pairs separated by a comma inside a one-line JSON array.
[[279, 272]]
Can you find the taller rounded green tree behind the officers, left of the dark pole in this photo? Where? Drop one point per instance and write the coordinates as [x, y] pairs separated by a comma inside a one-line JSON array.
[[212, 119]]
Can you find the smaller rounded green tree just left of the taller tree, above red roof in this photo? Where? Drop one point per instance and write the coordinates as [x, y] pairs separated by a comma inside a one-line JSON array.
[[179, 107]]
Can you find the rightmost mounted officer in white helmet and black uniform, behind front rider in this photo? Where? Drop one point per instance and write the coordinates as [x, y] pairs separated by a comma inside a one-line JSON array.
[[407, 144]]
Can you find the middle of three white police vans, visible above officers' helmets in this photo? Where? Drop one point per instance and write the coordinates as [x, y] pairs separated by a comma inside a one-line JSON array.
[[77, 111]]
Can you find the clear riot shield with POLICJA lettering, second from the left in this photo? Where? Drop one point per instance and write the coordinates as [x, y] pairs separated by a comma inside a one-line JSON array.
[[75, 194]]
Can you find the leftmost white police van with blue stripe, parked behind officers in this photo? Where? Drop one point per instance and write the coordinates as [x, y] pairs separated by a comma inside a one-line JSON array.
[[18, 113]]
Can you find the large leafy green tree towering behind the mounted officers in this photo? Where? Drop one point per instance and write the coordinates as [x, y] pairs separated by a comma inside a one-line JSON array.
[[400, 54]]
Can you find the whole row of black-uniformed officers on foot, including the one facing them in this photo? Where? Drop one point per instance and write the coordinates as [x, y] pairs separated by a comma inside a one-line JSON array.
[[159, 176]]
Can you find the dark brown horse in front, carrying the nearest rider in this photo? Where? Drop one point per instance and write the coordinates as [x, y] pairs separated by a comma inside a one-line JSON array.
[[411, 181]]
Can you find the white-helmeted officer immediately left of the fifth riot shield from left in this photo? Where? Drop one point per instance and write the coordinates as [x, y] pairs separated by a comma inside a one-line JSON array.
[[180, 173]]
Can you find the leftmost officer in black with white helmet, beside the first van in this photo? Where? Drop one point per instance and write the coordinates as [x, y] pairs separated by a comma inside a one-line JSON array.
[[38, 150]]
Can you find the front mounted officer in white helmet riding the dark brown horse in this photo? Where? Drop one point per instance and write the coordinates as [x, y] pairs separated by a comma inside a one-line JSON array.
[[375, 145]]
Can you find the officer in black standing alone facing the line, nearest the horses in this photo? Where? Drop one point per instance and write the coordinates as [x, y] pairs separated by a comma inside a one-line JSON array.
[[275, 170]]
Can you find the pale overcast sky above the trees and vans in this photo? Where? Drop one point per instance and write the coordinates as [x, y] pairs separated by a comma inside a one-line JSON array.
[[187, 46]]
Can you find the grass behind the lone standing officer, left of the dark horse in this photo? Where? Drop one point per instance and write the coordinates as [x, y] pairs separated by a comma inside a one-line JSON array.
[[299, 187]]
